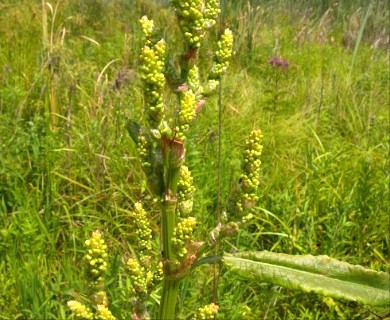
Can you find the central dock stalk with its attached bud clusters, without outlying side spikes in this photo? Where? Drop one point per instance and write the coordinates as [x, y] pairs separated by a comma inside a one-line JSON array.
[[161, 144]]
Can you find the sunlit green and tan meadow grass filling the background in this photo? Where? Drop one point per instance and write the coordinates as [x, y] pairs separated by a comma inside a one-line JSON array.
[[325, 179]]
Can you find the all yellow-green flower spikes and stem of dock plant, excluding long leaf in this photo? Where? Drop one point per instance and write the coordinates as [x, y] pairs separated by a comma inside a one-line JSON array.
[[161, 150]]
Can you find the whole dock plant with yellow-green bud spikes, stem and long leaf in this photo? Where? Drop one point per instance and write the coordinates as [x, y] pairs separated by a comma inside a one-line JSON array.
[[161, 142]]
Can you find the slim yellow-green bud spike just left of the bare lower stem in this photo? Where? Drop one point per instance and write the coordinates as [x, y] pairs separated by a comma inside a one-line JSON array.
[[143, 230]]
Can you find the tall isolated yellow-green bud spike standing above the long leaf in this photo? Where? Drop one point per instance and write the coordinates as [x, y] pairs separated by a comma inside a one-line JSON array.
[[250, 178]]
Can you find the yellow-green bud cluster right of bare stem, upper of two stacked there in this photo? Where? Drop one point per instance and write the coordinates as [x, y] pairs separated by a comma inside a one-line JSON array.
[[185, 191]]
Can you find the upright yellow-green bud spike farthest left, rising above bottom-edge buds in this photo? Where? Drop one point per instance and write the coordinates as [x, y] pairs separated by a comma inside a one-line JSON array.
[[96, 258]]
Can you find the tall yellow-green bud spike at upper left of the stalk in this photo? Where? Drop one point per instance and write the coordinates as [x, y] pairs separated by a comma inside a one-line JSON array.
[[152, 61]]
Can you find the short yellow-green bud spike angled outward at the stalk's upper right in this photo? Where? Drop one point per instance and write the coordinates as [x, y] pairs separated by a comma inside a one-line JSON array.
[[223, 54]]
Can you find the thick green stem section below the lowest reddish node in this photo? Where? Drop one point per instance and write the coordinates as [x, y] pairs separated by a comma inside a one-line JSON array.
[[169, 298]]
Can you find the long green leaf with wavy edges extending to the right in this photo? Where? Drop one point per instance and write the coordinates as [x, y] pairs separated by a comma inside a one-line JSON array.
[[319, 274]]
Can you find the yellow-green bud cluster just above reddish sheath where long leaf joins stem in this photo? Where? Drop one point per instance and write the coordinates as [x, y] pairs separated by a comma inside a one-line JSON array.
[[182, 234]]
